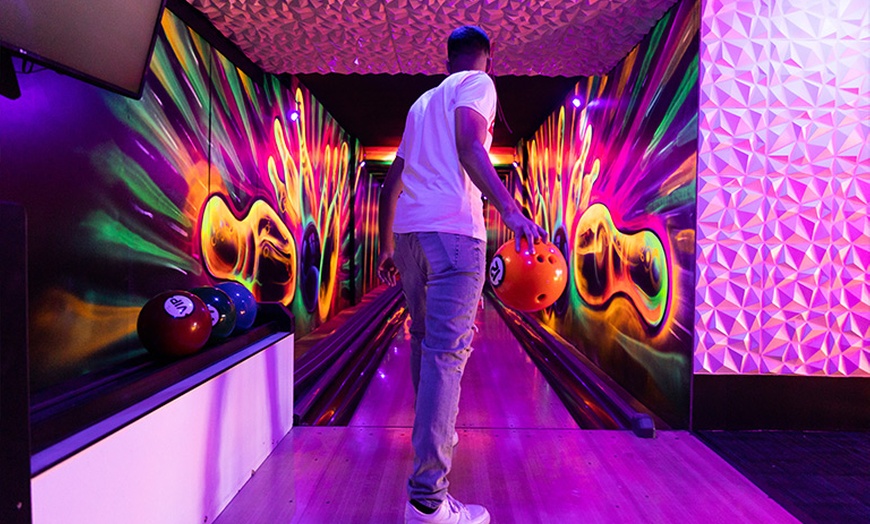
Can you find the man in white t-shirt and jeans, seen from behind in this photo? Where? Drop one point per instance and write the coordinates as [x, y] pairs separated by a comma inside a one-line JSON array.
[[439, 249]]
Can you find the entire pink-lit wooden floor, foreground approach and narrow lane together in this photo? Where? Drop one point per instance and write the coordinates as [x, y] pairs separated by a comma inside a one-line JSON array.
[[520, 454]]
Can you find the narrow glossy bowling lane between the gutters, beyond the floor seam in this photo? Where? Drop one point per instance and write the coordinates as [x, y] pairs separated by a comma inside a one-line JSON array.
[[501, 387]]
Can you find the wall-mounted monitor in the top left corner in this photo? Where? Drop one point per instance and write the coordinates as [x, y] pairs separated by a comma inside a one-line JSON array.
[[105, 42]]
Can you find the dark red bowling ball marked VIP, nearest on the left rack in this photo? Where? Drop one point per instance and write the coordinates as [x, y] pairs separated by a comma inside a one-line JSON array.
[[174, 324]]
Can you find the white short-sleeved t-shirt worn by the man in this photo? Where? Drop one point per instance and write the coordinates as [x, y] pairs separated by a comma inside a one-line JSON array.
[[439, 196]]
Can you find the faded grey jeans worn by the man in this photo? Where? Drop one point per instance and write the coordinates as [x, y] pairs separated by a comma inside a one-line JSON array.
[[442, 276]]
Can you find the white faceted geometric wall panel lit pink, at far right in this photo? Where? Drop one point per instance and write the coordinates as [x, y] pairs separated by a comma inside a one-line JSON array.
[[783, 249]]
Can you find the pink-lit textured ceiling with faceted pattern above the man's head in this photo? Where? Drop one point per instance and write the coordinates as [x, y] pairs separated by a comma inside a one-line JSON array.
[[549, 38]]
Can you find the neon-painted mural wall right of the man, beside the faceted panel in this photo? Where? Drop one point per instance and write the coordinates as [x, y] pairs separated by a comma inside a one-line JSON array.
[[611, 175]]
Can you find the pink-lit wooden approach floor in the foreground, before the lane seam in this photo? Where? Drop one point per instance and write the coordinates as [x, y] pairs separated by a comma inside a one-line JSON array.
[[524, 476]]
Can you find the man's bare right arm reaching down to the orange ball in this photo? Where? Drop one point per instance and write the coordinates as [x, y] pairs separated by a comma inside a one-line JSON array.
[[471, 128]]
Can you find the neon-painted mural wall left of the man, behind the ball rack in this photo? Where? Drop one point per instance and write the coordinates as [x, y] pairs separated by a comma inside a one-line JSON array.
[[211, 176]]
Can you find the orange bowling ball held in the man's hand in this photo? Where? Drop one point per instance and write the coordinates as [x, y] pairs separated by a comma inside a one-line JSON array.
[[528, 281]]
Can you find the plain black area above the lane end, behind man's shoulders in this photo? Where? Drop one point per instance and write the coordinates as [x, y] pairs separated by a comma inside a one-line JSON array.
[[372, 108]]
